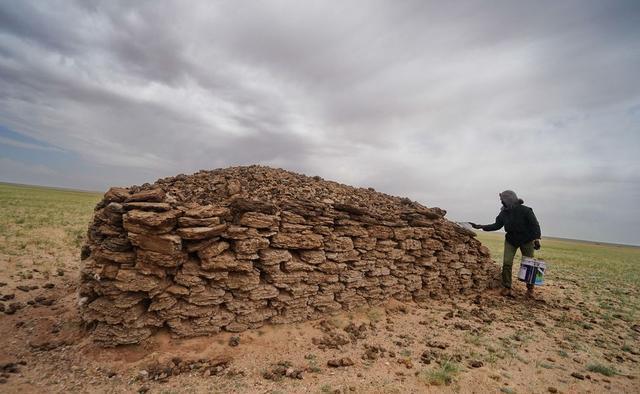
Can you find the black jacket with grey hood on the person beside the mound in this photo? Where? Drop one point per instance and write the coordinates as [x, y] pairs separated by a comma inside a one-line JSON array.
[[518, 220]]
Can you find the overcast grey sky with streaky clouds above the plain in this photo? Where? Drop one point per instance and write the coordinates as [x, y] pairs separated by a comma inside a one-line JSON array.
[[446, 102]]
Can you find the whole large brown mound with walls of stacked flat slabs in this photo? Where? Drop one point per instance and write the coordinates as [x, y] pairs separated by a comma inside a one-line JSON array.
[[240, 247]]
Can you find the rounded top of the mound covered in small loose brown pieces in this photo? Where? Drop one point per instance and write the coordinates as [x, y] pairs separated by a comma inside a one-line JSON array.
[[284, 190]]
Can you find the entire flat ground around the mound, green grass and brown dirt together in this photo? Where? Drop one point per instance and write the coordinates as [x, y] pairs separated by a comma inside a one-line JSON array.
[[582, 334]]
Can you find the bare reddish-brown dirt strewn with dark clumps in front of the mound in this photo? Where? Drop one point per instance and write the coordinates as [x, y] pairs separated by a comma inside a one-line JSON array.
[[482, 344]]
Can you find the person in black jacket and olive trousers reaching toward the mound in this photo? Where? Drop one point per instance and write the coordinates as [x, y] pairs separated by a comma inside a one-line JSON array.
[[523, 232]]
